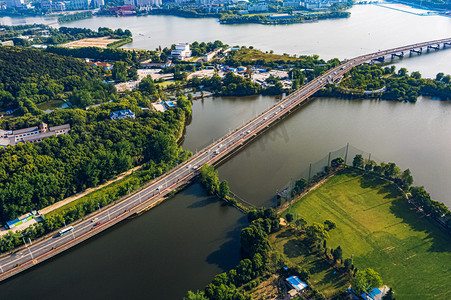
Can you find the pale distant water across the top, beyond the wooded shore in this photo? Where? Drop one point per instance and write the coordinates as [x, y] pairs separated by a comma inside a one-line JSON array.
[[369, 29]]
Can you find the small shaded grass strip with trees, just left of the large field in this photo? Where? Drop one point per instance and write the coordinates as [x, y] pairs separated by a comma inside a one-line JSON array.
[[323, 276]]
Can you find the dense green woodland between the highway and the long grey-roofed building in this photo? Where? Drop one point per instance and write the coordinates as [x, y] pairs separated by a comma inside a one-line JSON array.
[[33, 176]]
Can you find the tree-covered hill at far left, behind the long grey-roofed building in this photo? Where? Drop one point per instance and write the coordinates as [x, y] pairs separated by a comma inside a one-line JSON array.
[[29, 76]]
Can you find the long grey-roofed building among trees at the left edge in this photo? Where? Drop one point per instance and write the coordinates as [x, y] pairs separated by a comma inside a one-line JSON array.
[[32, 134]]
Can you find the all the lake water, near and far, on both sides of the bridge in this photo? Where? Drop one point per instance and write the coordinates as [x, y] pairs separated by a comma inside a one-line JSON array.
[[182, 243]]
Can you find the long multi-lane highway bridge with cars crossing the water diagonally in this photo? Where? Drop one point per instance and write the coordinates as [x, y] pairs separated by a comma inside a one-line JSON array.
[[154, 192]]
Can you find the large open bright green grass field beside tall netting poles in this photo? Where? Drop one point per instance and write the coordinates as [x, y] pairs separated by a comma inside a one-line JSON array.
[[376, 225]]
